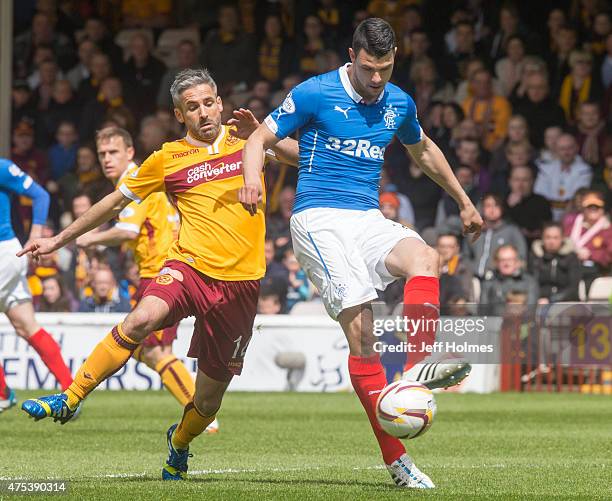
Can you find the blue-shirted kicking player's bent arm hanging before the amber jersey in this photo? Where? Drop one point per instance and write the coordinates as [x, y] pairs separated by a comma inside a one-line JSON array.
[[252, 165]]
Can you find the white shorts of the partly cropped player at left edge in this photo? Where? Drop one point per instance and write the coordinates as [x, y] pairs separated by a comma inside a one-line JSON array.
[[14, 287]]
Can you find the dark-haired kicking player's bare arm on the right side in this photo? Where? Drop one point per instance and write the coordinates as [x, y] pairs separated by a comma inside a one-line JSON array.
[[431, 160]]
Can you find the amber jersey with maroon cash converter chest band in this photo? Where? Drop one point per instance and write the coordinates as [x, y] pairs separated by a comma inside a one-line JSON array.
[[217, 236]]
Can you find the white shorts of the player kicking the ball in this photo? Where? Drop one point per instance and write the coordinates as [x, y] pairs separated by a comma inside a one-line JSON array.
[[343, 253]]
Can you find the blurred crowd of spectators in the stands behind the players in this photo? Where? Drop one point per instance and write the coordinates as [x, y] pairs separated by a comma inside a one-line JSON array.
[[517, 95]]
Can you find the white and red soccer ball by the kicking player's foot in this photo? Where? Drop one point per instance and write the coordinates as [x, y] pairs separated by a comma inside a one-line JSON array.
[[405, 409]]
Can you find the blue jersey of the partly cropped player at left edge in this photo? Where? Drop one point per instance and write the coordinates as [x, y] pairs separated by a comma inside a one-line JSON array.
[[14, 180]]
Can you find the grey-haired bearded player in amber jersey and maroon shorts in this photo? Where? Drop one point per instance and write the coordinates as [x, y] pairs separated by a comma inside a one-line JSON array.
[[211, 272]]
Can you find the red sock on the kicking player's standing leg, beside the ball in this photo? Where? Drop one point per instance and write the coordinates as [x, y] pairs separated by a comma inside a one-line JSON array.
[[368, 378]]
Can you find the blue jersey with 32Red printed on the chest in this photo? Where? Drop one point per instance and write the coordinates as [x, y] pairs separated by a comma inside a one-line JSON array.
[[342, 140]]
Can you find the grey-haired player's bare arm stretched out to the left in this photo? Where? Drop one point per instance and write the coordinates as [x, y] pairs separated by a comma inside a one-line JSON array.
[[99, 213]]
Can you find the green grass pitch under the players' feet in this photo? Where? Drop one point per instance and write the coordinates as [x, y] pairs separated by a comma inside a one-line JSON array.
[[319, 446]]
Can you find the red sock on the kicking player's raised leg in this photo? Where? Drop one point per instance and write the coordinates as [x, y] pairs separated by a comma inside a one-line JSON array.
[[422, 302]]
